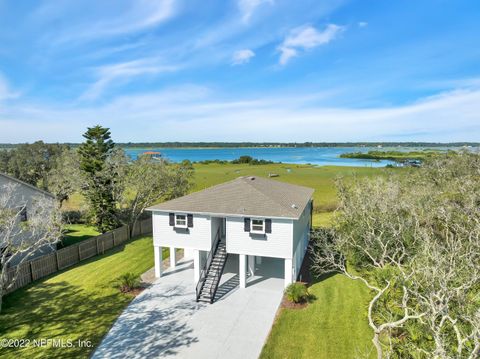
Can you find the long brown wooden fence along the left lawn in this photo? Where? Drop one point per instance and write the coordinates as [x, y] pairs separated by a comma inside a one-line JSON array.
[[68, 256]]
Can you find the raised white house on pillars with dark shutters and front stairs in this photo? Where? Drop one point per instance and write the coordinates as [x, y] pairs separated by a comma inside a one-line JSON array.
[[249, 217]]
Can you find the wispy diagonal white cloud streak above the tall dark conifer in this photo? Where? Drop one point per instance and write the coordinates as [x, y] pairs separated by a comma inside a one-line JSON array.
[[123, 72]]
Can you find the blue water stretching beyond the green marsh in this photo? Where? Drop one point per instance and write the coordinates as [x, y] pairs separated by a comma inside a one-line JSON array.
[[323, 156]]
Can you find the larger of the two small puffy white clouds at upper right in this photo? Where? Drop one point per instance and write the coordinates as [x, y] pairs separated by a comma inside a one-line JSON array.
[[304, 38]]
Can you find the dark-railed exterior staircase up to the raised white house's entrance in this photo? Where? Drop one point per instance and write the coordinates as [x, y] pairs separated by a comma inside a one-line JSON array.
[[210, 278]]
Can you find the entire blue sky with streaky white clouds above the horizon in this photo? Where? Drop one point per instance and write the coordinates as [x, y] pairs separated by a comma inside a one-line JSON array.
[[241, 70]]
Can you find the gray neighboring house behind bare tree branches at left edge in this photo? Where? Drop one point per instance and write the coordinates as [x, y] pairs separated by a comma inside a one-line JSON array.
[[24, 197]]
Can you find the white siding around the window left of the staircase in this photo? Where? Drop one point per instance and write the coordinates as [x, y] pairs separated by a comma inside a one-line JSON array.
[[197, 237]]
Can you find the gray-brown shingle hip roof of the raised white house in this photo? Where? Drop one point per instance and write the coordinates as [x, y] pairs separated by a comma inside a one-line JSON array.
[[244, 196]]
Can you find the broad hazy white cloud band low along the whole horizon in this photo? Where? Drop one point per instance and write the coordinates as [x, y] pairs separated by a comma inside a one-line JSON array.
[[194, 113]]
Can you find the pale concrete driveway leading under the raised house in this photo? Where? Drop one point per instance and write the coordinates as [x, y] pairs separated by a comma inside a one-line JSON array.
[[165, 321]]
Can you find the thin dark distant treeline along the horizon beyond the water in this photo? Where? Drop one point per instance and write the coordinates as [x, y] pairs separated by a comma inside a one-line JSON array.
[[276, 144]]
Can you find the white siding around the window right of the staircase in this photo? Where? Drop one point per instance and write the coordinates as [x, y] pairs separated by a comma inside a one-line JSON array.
[[277, 244]]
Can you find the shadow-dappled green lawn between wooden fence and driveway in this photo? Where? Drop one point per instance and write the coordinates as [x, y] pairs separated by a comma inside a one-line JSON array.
[[79, 303]]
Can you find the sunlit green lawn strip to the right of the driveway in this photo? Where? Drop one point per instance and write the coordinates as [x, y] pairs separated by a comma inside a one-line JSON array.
[[334, 325]]
